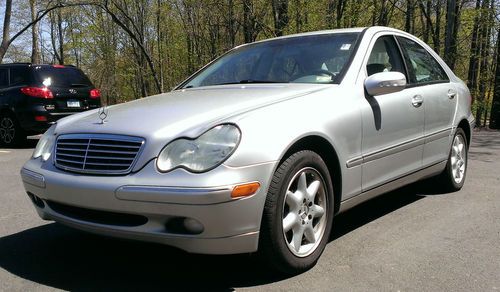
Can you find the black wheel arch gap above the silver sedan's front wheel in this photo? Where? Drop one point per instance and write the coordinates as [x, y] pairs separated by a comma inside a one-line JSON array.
[[327, 151]]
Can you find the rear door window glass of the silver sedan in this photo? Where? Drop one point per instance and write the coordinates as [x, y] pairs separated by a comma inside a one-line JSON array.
[[422, 66]]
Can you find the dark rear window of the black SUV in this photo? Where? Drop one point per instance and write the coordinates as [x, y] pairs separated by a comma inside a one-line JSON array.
[[61, 77]]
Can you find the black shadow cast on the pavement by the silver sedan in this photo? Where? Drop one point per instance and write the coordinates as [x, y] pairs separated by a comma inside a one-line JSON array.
[[64, 258]]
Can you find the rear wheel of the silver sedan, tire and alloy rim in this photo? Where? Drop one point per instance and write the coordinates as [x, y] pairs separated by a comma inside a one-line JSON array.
[[453, 176]]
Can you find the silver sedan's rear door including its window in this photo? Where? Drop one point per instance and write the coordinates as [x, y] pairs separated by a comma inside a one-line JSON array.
[[440, 99]]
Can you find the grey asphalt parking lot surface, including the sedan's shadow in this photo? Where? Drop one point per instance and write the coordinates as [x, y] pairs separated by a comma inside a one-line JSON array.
[[412, 239]]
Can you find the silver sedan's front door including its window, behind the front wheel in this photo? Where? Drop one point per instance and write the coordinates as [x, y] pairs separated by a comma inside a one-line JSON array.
[[393, 124]]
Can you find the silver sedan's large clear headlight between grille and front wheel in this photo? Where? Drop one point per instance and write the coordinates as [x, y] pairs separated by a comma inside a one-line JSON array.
[[203, 153]]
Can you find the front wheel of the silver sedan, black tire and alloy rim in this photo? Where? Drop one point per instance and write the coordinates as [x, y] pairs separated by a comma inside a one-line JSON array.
[[295, 244]]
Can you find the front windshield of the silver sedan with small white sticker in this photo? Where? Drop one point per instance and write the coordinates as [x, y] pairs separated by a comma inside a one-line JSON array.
[[306, 59]]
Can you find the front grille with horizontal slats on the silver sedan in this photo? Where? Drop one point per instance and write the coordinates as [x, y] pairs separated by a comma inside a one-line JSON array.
[[97, 153]]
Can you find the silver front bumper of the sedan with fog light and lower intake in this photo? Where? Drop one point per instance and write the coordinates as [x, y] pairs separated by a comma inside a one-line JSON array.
[[169, 204]]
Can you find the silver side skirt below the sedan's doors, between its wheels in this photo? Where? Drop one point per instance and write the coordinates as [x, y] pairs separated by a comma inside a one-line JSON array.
[[392, 185]]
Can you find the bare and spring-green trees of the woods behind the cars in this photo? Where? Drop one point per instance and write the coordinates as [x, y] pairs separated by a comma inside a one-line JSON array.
[[131, 49]]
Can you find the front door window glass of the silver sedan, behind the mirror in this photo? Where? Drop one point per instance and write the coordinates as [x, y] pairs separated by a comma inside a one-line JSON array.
[[385, 57]]
